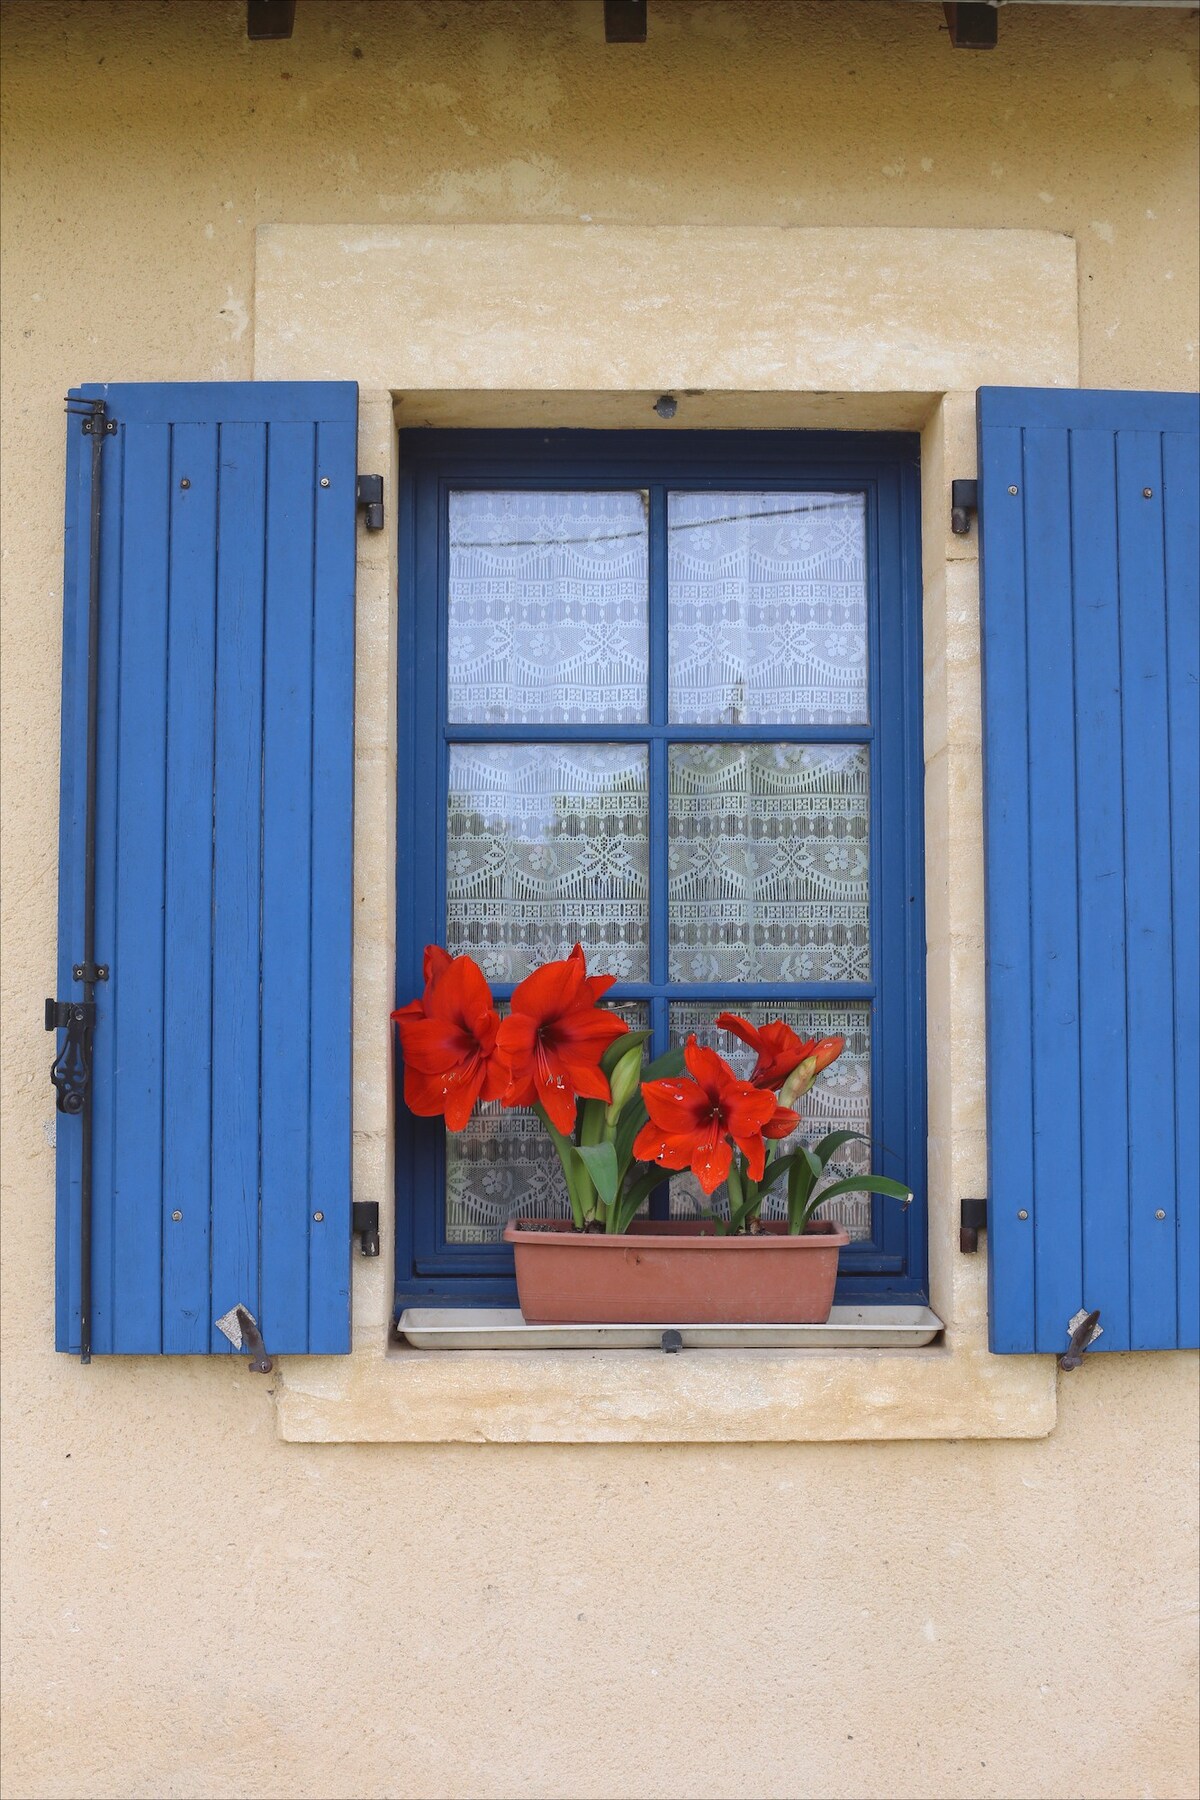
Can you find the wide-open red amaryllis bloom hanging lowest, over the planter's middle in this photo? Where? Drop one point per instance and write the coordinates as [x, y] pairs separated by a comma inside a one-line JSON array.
[[692, 1122]]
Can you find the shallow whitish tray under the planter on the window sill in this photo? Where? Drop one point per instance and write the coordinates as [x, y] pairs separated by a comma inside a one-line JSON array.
[[505, 1329]]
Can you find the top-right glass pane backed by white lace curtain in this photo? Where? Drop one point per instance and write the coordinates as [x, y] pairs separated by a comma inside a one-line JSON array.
[[767, 609]]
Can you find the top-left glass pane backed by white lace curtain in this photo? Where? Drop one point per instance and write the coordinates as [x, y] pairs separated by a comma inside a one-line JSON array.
[[548, 607]]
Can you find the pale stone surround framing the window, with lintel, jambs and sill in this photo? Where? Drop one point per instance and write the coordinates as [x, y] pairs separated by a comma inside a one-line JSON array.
[[587, 325]]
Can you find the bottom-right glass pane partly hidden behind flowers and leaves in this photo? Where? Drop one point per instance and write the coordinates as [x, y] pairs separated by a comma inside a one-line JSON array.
[[837, 1101]]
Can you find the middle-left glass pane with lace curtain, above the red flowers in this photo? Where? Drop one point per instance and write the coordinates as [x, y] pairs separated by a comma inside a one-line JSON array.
[[548, 847]]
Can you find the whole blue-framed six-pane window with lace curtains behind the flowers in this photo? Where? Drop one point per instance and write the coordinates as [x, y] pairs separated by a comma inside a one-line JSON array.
[[661, 696]]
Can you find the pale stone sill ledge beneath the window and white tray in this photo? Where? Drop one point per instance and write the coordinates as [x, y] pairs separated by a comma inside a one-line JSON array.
[[393, 1394]]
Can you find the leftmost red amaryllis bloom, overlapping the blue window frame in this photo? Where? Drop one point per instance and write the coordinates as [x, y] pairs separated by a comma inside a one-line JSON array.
[[449, 1041]]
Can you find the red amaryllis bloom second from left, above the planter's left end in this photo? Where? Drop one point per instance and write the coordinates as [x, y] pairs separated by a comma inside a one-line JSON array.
[[555, 1038]]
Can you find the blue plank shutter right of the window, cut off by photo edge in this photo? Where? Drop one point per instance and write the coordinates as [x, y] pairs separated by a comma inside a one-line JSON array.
[[1089, 521]]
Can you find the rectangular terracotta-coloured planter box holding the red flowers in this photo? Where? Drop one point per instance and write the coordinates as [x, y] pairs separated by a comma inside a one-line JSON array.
[[676, 1273]]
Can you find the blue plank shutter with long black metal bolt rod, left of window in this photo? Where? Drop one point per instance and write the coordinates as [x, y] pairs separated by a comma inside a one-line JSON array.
[[222, 1061]]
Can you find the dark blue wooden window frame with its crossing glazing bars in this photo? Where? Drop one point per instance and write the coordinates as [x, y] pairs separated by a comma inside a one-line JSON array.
[[890, 1259]]
